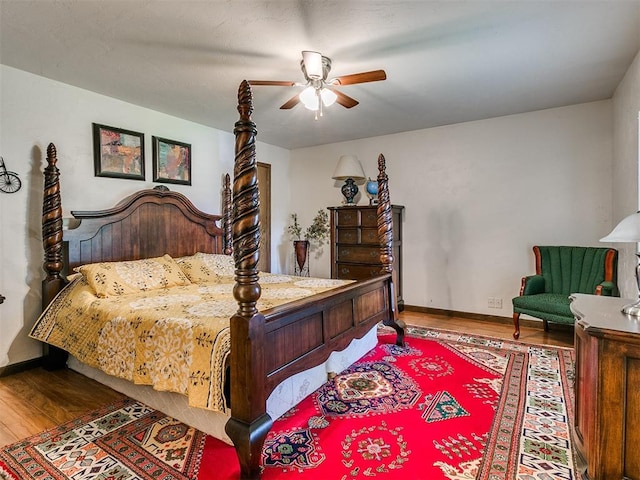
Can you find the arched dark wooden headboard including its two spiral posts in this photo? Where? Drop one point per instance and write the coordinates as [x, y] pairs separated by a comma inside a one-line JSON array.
[[147, 224]]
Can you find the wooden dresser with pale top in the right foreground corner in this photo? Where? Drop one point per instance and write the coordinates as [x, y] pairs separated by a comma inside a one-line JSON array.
[[607, 388]]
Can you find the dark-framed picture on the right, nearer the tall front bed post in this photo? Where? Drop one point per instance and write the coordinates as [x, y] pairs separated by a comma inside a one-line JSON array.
[[171, 161]]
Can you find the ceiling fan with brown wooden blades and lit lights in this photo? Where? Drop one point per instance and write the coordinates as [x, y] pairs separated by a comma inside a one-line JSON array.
[[319, 90]]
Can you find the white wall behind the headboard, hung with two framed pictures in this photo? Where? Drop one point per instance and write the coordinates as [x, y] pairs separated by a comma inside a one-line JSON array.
[[35, 111]]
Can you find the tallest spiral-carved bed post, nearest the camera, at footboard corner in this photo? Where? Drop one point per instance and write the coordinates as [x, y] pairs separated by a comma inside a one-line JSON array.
[[249, 423]]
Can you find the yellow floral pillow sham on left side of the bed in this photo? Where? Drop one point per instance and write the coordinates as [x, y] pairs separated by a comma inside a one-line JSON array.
[[121, 278]]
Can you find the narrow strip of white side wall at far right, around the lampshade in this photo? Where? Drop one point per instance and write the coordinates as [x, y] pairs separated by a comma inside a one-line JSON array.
[[626, 121]]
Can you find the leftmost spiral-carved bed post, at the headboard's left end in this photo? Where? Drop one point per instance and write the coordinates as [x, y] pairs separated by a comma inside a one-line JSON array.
[[52, 243]]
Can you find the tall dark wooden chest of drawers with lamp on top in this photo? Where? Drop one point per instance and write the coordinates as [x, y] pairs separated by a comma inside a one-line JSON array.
[[355, 251]]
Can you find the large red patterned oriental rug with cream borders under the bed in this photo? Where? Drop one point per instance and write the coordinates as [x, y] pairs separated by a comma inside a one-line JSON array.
[[449, 406]]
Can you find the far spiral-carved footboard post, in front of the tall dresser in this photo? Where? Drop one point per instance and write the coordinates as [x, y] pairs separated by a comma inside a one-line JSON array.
[[385, 234]]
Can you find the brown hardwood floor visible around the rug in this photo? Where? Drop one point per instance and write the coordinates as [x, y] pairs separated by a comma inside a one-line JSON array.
[[36, 400]]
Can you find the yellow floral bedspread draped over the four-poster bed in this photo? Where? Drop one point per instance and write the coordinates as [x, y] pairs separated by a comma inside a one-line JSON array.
[[176, 339]]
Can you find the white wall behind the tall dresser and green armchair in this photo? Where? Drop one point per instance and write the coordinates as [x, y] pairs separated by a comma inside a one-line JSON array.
[[478, 196]]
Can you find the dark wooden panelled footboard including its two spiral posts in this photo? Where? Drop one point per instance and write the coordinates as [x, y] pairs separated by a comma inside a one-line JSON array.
[[267, 349]]
